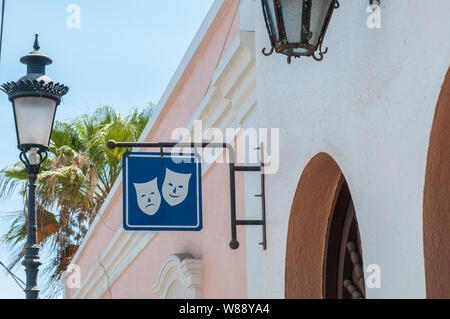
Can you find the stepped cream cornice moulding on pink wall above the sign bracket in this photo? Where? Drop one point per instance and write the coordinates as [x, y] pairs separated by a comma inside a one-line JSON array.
[[232, 95]]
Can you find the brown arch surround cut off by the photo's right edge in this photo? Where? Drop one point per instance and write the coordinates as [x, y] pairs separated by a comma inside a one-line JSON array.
[[436, 206]]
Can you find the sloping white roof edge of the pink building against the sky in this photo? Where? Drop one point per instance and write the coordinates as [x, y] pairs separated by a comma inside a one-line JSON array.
[[192, 49]]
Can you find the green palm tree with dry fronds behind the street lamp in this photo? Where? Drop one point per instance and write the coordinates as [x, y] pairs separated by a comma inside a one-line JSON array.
[[73, 184]]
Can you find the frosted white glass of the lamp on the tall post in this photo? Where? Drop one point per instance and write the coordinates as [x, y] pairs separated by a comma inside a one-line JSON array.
[[34, 119]]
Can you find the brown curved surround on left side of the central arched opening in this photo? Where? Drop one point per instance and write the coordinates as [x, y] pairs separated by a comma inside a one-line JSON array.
[[311, 213]]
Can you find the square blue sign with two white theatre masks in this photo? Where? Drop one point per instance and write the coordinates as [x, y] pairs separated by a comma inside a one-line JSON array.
[[162, 191]]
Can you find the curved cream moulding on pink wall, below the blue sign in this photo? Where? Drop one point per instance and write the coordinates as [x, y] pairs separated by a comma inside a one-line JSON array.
[[179, 271]]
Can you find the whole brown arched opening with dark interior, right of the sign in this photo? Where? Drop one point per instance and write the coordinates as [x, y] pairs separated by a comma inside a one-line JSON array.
[[323, 252]]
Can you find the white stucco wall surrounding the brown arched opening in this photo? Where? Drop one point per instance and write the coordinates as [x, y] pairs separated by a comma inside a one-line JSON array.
[[370, 105]]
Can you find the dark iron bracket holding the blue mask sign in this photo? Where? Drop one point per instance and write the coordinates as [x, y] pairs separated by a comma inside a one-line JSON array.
[[233, 169]]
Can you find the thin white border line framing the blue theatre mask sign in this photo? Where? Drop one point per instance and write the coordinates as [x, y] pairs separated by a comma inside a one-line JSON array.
[[152, 155]]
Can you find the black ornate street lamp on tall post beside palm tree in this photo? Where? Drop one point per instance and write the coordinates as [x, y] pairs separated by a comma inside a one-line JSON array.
[[35, 98]]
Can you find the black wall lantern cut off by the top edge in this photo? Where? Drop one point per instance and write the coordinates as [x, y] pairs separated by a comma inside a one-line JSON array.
[[297, 27]]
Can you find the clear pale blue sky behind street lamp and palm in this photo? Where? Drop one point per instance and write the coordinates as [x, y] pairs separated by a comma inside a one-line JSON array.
[[123, 55]]
